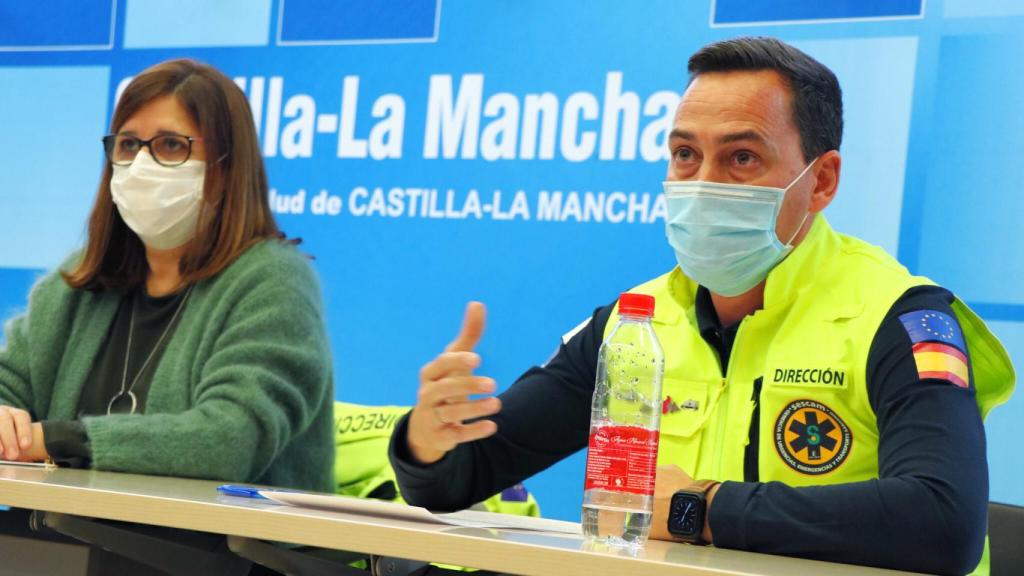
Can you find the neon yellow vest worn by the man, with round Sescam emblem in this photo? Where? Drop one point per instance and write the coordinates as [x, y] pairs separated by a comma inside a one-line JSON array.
[[804, 358]]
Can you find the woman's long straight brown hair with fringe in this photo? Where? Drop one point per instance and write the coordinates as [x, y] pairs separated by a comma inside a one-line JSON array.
[[235, 214]]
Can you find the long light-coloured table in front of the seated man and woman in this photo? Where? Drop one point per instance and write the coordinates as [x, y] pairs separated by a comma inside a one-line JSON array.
[[195, 505]]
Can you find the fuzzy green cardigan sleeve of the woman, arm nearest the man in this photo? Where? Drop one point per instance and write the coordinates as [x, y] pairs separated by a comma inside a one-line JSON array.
[[253, 348]]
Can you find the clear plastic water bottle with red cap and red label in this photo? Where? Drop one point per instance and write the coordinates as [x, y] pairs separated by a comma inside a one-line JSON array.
[[622, 459]]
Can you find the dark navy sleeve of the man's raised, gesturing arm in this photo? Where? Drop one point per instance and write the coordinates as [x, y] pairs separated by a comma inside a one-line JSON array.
[[545, 418]]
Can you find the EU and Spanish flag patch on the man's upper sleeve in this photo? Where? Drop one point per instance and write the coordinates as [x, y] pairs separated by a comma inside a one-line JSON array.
[[940, 350]]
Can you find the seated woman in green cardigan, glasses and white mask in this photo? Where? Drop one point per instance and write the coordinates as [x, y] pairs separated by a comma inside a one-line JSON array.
[[187, 339]]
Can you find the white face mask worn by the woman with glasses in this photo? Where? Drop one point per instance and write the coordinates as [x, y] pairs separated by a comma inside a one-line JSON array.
[[159, 203]]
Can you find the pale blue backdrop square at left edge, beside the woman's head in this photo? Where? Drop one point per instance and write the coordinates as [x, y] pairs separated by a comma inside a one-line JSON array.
[[54, 118]]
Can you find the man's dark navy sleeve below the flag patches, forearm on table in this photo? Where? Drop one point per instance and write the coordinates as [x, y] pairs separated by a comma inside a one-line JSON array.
[[926, 513]]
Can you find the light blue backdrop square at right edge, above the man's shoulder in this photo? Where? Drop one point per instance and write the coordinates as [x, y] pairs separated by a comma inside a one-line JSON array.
[[970, 228]]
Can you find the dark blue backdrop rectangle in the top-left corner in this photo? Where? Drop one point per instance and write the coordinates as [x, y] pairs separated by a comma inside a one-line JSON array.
[[56, 25]]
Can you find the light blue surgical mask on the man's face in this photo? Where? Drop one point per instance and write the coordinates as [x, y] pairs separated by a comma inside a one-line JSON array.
[[724, 234]]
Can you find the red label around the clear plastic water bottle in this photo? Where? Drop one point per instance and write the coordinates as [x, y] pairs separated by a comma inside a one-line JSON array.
[[623, 460]]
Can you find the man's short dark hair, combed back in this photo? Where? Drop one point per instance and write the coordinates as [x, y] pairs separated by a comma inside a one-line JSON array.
[[818, 101]]
